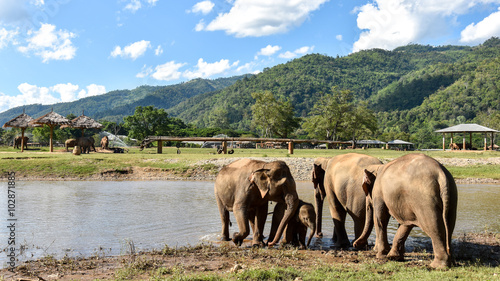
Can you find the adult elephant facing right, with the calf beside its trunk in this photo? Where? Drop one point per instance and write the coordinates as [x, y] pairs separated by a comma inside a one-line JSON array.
[[244, 187]]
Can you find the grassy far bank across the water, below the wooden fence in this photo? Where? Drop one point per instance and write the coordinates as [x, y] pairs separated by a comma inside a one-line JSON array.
[[154, 168]]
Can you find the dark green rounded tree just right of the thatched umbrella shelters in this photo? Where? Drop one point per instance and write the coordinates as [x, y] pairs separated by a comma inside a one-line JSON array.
[[147, 121]]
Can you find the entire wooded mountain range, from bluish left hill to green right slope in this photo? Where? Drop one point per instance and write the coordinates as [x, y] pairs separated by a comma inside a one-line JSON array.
[[412, 90]]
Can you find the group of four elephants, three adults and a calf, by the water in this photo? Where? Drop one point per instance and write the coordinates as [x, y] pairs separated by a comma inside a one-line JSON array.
[[414, 189]]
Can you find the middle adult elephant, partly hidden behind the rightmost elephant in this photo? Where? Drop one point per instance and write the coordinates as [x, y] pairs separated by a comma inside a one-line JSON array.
[[339, 179]]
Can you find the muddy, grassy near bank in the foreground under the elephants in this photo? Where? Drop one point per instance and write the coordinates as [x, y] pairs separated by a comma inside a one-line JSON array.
[[477, 257]]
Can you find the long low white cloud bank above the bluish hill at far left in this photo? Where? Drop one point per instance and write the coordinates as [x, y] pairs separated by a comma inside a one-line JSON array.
[[31, 94]]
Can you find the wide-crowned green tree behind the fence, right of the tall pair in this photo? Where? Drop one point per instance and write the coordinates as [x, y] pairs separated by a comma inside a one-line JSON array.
[[329, 115]]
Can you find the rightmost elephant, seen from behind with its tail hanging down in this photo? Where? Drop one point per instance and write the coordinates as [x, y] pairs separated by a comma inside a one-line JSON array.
[[416, 190]]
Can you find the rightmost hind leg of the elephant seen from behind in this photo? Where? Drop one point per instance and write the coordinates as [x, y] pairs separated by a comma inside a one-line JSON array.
[[433, 225]]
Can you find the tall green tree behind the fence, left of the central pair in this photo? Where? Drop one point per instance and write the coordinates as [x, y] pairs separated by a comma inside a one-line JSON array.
[[272, 116]]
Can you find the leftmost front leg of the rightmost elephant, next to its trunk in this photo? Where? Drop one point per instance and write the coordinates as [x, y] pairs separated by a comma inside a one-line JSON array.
[[381, 220]]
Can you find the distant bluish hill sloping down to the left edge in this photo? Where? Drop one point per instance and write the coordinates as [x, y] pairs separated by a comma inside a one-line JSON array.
[[114, 105]]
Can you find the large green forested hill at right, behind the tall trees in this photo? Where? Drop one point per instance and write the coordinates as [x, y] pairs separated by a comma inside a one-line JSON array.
[[413, 90]]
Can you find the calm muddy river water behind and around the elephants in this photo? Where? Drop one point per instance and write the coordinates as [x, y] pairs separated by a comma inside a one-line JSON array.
[[83, 218]]
